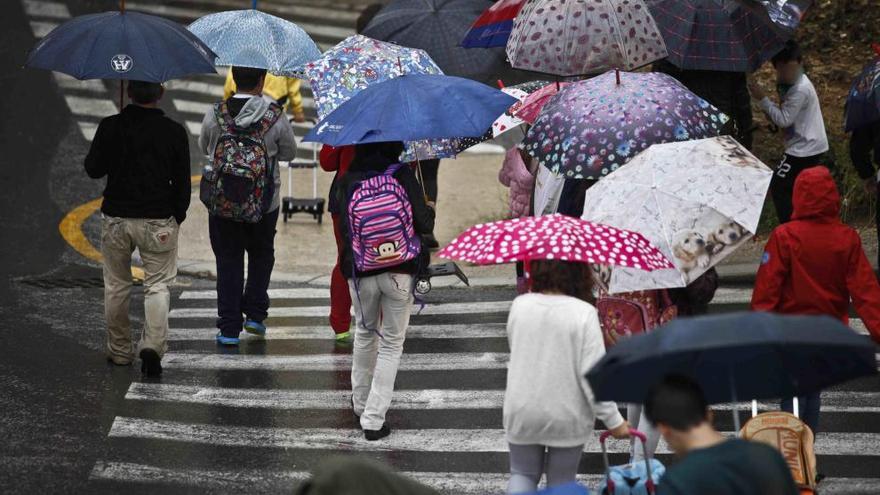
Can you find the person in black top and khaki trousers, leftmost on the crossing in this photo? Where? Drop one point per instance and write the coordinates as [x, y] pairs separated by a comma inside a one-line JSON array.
[[145, 157]]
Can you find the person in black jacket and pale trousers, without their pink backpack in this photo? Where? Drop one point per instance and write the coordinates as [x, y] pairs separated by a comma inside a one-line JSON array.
[[382, 298]]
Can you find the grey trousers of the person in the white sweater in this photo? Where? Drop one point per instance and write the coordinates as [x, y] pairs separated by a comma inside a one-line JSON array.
[[529, 462]]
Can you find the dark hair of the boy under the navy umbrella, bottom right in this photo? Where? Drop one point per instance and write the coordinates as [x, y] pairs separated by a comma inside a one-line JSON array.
[[678, 402]]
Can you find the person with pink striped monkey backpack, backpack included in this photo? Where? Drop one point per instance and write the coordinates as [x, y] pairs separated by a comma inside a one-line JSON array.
[[384, 213]]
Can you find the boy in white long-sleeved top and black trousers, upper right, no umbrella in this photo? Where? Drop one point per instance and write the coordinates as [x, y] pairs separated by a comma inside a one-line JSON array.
[[800, 117]]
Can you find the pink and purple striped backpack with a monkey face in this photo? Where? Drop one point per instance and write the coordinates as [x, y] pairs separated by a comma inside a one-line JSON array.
[[381, 223]]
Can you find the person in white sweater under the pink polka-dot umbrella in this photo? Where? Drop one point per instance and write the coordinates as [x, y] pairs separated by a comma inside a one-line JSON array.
[[549, 408]]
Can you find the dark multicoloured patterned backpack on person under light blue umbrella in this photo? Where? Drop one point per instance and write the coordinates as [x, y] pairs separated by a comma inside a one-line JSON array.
[[240, 183]]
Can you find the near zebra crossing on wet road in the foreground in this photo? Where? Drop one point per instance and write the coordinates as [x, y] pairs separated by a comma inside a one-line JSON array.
[[260, 417]]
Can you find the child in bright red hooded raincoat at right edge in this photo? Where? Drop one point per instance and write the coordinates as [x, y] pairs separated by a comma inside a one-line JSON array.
[[814, 265]]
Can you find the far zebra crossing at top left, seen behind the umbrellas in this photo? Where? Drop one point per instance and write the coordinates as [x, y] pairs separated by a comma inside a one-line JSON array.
[[187, 100]]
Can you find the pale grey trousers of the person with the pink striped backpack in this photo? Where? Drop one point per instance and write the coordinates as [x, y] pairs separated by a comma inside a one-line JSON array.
[[381, 303]]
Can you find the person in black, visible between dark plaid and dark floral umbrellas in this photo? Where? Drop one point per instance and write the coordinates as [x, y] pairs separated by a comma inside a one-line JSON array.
[[727, 91]]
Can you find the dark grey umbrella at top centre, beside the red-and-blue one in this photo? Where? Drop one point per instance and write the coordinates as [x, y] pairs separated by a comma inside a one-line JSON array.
[[437, 26]]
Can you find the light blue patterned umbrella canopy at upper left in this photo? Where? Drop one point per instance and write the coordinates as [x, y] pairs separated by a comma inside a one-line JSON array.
[[250, 38]]
